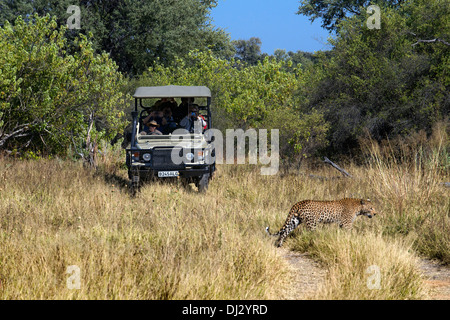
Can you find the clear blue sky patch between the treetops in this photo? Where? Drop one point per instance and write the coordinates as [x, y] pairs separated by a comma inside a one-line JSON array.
[[273, 21]]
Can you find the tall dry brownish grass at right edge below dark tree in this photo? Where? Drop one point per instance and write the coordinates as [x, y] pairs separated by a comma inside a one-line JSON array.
[[409, 175]]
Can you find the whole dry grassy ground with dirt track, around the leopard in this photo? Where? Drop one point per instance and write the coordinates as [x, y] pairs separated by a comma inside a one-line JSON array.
[[174, 243]]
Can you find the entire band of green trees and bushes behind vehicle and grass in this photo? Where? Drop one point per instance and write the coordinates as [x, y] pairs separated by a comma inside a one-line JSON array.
[[55, 91]]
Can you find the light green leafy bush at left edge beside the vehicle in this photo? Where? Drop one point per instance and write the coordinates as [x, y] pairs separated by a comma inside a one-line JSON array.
[[51, 100]]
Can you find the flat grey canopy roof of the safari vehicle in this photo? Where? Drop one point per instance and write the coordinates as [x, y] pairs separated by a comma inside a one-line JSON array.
[[172, 92]]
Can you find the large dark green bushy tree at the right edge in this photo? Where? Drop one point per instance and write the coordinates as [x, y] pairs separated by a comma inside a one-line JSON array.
[[383, 81]]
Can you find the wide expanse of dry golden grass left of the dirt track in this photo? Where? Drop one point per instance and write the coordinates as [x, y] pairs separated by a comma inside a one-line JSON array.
[[168, 243]]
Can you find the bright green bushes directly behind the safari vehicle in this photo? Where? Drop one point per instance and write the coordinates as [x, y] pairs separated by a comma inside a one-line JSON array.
[[246, 96]]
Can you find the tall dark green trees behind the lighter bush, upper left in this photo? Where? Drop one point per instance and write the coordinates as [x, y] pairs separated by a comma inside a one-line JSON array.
[[135, 33]]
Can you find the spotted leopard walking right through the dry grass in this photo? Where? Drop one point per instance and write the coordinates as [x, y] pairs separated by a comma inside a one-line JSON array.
[[313, 212]]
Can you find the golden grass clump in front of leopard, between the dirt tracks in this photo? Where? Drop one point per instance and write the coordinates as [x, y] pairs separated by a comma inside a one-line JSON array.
[[363, 265]]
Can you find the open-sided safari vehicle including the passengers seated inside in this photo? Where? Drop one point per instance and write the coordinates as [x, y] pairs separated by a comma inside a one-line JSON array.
[[175, 148]]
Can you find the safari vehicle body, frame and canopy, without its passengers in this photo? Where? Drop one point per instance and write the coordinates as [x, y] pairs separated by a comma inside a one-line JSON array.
[[179, 154]]
